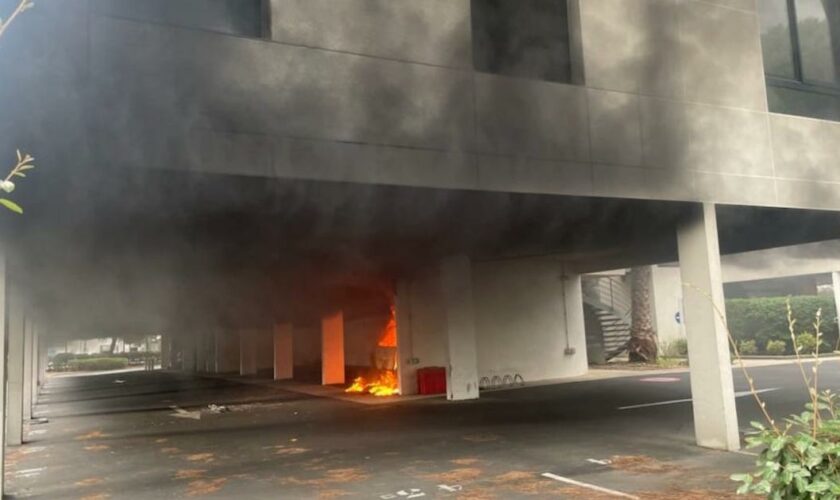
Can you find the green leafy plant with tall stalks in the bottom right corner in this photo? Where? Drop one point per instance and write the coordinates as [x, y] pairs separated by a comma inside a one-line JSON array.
[[801, 459]]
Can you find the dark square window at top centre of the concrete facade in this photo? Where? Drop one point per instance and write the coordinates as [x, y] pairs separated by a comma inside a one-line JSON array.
[[524, 38]]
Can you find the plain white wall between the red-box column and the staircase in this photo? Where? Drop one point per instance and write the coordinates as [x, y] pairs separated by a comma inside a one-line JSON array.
[[521, 320]]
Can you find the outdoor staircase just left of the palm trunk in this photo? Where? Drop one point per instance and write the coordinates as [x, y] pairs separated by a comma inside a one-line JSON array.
[[607, 306]]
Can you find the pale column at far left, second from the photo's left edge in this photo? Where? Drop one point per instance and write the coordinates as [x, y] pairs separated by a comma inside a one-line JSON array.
[[14, 371]]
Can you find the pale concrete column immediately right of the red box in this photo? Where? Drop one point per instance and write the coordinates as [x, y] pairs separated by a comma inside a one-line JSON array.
[[456, 286]]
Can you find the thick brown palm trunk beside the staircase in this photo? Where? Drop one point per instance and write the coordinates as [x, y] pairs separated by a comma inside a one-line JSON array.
[[642, 346]]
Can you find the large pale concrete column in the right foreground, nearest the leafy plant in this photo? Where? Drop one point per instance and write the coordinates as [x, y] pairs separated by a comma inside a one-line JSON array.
[[715, 417]]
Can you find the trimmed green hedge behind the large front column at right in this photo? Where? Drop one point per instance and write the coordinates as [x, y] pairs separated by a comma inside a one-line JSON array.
[[765, 318]]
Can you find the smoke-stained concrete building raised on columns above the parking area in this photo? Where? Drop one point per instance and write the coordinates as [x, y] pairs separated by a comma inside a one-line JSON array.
[[223, 169]]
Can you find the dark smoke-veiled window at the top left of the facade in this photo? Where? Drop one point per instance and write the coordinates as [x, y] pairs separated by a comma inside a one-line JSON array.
[[236, 17]]
